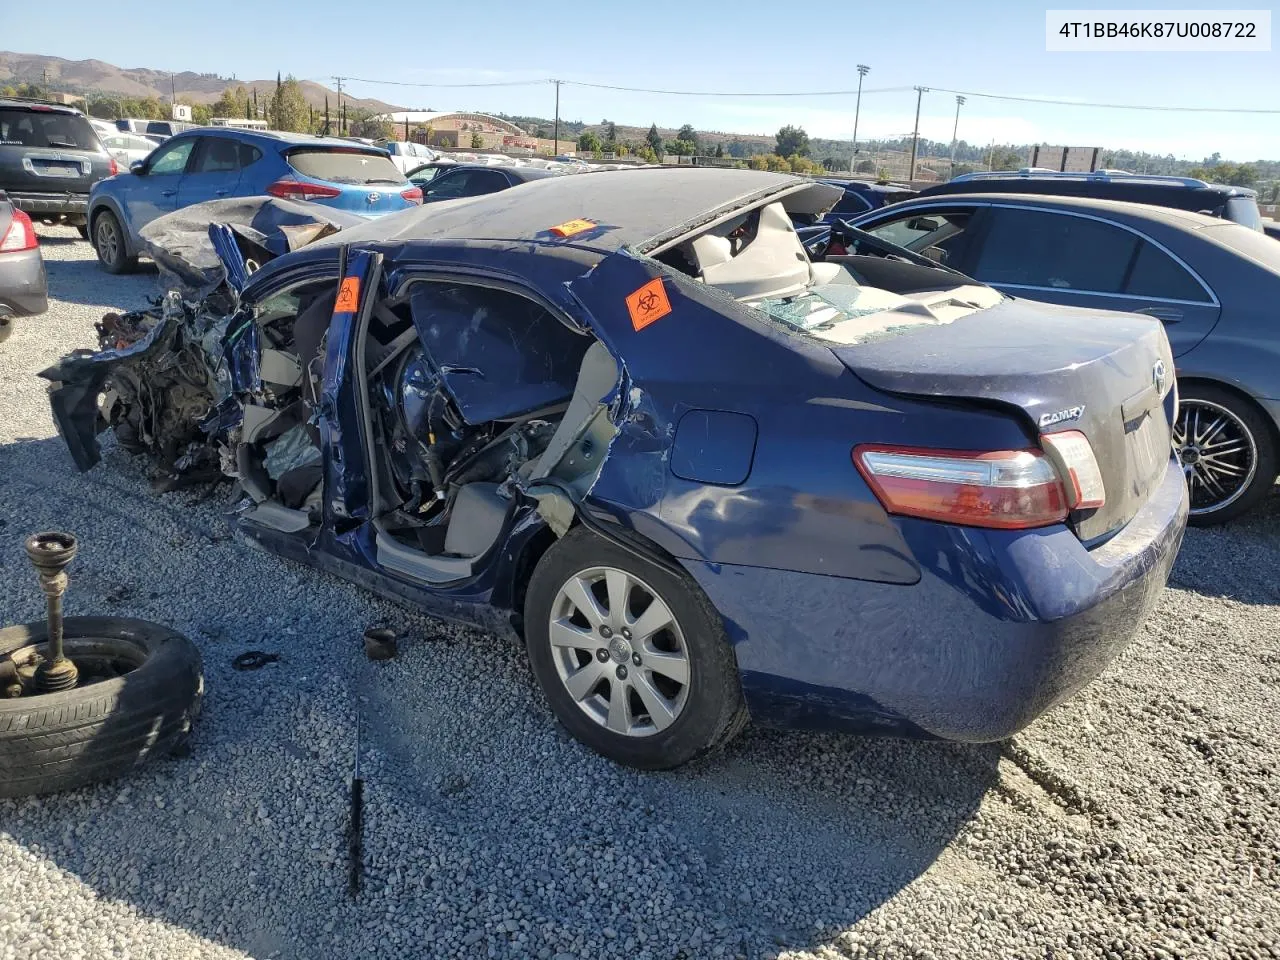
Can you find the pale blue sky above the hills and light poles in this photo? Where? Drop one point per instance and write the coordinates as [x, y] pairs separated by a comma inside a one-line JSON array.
[[714, 45]]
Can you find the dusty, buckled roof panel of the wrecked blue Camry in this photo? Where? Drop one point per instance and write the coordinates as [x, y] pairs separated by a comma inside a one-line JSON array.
[[621, 205]]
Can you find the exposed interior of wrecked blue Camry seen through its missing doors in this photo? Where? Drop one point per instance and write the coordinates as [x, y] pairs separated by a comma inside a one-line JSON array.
[[470, 390]]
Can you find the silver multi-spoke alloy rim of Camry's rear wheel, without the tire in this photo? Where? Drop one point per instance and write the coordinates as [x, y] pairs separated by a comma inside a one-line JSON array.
[[620, 652]]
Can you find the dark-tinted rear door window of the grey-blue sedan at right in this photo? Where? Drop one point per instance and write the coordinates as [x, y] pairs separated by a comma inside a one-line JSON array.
[[1040, 249]]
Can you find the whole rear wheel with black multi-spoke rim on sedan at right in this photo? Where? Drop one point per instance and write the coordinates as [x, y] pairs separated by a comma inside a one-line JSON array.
[[1228, 451]]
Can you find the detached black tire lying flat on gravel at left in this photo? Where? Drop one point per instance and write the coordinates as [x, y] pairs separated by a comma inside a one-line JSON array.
[[98, 732]]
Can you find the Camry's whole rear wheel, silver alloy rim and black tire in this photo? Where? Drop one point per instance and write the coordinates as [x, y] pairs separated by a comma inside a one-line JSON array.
[[632, 656]]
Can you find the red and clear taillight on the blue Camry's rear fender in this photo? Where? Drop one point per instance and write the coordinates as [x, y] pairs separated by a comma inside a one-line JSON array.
[[1003, 490]]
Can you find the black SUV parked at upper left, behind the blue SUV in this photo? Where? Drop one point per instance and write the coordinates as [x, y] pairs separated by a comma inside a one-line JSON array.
[[49, 159]]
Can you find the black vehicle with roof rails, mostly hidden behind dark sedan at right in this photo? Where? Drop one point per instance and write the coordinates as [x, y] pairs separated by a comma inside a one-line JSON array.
[[1236, 204]]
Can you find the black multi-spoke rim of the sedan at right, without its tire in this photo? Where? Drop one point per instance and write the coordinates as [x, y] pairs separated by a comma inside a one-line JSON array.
[[1218, 452]]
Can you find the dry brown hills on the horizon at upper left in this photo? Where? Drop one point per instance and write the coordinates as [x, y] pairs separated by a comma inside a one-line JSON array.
[[98, 76]]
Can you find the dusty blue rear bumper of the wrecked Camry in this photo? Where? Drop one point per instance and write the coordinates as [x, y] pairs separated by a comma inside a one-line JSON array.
[[1002, 627]]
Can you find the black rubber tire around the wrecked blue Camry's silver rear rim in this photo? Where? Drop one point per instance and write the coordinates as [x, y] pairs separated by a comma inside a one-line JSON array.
[[714, 711]]
